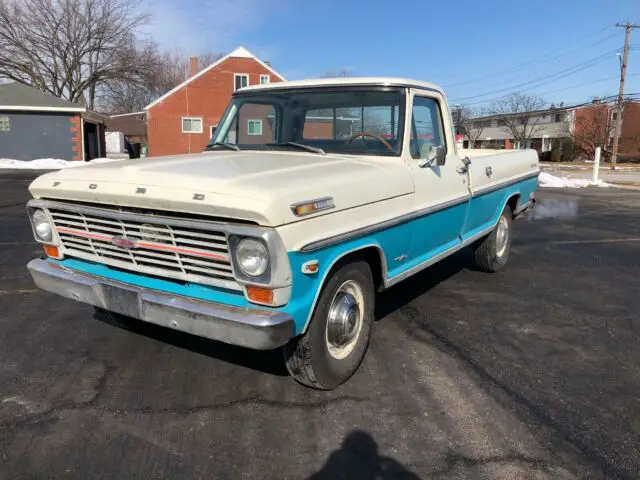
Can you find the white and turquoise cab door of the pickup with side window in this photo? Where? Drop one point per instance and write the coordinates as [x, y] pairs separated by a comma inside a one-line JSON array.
[[441, 191]]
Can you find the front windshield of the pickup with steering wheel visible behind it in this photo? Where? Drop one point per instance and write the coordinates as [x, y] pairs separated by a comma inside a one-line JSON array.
[[352, 121]]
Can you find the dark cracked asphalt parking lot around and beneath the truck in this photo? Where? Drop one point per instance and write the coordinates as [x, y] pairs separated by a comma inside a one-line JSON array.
[[533, 372]]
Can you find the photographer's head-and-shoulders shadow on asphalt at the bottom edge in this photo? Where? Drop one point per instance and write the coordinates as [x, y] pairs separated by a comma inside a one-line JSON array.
[[358, 458]]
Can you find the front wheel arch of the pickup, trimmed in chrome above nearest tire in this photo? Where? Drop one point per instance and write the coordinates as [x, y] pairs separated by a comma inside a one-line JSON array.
[[371, 253]]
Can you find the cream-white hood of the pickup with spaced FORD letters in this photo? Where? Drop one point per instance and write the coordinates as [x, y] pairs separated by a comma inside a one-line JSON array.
[[256, 186]]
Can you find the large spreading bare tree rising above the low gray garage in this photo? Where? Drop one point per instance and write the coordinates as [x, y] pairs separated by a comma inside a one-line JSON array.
[[73, 48]]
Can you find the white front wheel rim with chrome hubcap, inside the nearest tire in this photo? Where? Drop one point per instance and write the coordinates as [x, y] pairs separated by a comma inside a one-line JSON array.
[[345, 320]]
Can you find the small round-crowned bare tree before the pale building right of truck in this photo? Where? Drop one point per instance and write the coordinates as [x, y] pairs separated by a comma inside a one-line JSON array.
[[513, 115]]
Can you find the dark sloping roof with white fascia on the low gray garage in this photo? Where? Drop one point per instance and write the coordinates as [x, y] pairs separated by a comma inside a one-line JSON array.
[[20, 97]]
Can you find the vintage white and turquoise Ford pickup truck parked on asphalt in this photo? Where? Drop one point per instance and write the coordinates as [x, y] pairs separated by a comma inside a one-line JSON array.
[[310, 198]]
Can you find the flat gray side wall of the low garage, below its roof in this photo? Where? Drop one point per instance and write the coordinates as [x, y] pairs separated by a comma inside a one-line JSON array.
[[35, 135]]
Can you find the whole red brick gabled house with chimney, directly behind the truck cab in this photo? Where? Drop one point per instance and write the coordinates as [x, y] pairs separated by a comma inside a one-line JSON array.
[[181, 121]]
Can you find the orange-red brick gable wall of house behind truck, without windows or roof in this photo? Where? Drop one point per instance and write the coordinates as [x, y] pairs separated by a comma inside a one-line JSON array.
[[206, 97]]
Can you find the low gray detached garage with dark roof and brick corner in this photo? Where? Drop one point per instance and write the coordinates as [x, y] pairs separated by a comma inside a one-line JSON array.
[[34, 124]]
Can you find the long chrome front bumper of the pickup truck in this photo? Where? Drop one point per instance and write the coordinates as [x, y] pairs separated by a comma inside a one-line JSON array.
[[252, 328]]
